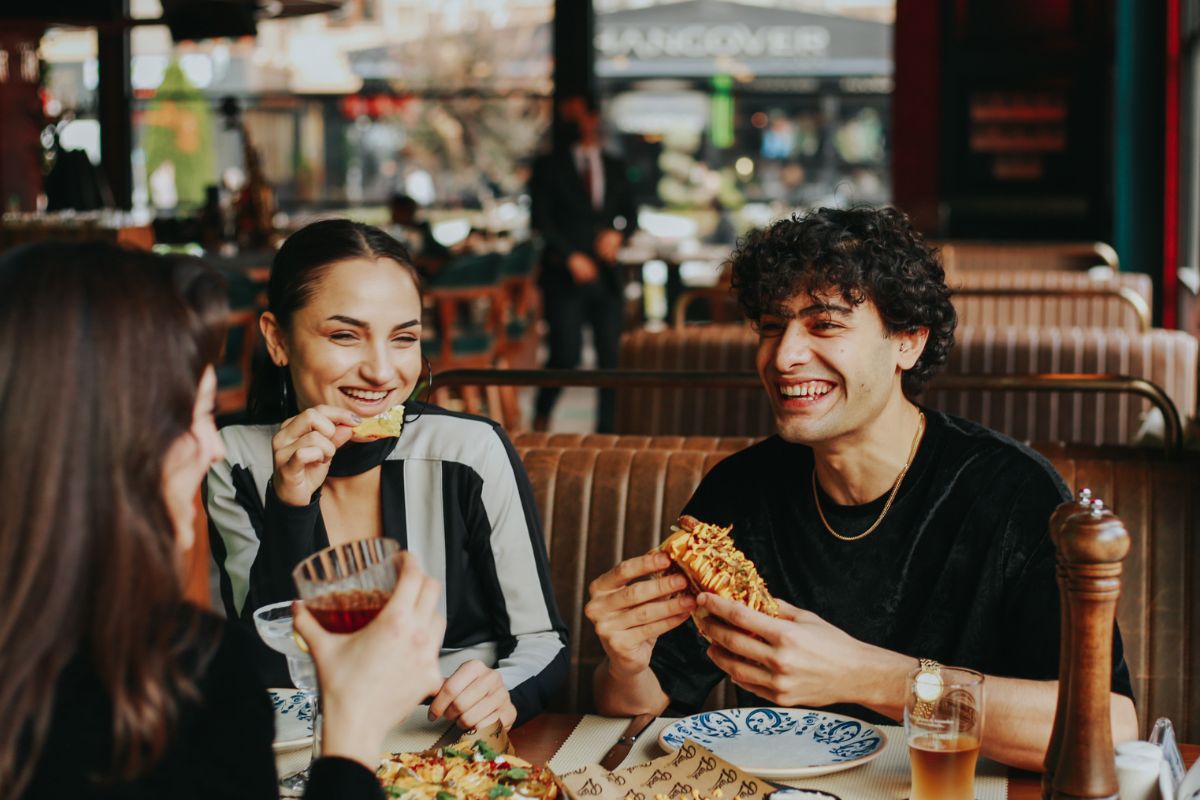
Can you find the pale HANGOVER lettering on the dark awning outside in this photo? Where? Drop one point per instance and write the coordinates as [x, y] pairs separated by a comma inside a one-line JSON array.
[[713, 41]]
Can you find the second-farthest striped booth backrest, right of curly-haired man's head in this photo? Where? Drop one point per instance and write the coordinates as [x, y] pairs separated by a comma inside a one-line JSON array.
[[1054, 298]]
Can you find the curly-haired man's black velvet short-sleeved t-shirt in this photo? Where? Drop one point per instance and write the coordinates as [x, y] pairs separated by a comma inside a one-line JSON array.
[[962, 569]]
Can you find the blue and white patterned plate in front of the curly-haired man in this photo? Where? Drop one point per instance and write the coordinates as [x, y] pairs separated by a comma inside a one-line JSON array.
[[781, 743]]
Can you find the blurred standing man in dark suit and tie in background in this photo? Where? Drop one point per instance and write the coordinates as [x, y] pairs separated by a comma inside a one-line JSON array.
[[584, 208]]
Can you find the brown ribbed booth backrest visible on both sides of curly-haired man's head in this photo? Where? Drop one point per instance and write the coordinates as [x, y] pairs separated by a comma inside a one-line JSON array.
[[1165, 358]]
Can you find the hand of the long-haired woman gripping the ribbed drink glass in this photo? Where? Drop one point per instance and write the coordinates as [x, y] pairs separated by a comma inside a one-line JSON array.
[[373, 679]]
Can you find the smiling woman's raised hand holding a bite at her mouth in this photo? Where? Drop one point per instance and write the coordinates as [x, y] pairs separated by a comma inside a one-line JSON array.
[[304, 448]]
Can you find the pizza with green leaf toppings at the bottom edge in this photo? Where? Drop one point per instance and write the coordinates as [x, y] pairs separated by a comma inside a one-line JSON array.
[[466, 771]]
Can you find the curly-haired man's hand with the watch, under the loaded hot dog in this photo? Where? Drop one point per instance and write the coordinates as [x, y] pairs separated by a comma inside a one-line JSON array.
[[796, 659]]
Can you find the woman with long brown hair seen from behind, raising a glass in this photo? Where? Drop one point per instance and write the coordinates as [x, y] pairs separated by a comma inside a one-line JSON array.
[[111, 684]]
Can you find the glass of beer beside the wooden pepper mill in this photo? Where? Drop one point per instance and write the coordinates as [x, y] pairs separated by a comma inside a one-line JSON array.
[[944, 725]]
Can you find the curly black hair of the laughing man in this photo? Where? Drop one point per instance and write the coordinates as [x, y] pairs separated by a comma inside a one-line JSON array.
[[866, 255]]
